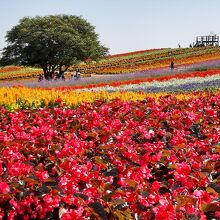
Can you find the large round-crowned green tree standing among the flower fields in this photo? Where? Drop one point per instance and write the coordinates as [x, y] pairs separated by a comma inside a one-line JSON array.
[[53, 42]]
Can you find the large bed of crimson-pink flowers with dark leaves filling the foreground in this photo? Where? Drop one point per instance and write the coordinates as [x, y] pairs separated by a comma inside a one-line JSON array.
[[149, 159]]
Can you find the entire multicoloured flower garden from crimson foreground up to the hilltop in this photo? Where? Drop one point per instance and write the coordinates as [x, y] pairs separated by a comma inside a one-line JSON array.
[[140, 144]]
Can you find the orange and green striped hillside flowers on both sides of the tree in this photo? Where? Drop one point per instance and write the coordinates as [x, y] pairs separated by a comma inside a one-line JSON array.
[[132, 62]]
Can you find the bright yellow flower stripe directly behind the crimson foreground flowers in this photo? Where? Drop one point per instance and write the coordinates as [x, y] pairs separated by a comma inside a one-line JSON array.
[[21, 97]]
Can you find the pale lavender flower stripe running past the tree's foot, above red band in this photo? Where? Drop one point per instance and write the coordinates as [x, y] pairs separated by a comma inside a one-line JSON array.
[[123, 77]]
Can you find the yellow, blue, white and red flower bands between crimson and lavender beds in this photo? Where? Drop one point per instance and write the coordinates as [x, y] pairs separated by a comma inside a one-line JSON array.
[[183, 84]]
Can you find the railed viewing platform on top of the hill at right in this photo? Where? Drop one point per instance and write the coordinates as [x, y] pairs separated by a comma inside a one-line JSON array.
[[209, 40]]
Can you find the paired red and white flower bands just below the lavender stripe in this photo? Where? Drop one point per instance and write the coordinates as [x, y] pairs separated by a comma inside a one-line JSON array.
[[210, 78]]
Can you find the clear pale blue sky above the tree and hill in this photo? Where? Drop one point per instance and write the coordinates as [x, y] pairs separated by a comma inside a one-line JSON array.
[[126, 25]]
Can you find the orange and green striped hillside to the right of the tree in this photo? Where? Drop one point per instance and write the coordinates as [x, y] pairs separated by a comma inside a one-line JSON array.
[[150, 59]]
